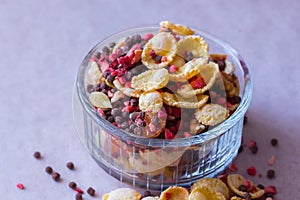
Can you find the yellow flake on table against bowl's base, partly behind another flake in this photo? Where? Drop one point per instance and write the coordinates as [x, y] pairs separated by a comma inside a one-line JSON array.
[[214, 184]]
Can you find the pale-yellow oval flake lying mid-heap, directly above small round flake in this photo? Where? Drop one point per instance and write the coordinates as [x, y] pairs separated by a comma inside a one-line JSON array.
[[150, 80]]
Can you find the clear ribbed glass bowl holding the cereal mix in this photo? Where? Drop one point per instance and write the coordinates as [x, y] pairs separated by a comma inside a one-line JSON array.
[[151, 163]]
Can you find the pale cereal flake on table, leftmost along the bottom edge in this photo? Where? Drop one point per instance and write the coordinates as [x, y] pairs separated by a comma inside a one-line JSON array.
[[122, 194]]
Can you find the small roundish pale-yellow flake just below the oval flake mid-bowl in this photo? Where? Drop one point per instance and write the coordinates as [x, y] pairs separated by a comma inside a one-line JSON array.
[[150, 101]]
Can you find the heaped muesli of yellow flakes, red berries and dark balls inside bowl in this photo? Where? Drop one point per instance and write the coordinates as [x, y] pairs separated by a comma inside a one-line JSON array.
[[146, 84]]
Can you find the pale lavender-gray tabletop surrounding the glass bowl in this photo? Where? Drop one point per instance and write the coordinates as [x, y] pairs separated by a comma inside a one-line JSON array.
[[43, 42]]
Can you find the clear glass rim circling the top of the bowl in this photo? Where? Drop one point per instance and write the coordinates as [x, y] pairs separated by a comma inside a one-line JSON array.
[[199, 139]]
